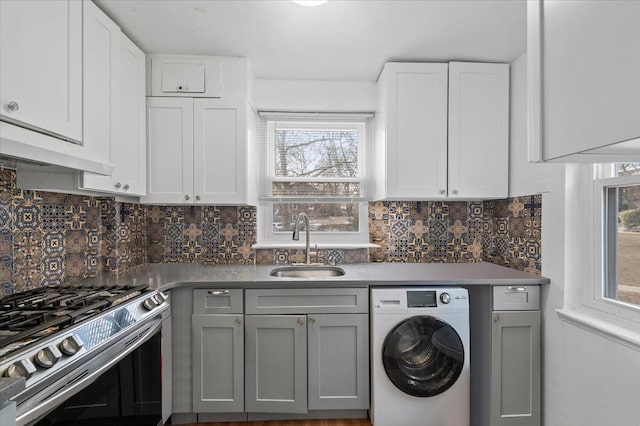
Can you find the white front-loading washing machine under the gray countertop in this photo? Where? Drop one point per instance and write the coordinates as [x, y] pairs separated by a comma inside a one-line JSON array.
[[420, 356]]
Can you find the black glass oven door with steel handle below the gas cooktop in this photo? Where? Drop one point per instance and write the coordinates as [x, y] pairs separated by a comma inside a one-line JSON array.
[[142, 344]]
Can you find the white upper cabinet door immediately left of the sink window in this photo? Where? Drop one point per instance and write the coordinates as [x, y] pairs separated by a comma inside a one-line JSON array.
[[220, 152]]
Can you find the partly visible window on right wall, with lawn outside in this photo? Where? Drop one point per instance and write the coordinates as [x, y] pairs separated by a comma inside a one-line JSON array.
[[617, 192]]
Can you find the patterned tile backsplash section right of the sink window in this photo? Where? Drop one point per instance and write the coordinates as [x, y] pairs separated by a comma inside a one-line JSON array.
[[506, 232]]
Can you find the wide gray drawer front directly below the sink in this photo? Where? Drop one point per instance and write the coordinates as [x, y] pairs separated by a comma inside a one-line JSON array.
[[311, 300]]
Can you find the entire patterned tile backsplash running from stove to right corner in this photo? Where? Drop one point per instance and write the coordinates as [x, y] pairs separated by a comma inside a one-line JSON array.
[[47, 237]]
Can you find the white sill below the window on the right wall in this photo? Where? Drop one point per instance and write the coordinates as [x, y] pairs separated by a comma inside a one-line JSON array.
[[599, 324]]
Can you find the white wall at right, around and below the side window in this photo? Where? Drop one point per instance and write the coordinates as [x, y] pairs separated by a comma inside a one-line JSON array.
[[588, 380]]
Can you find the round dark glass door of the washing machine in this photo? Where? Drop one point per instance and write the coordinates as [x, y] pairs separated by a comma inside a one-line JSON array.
[[423, 356]]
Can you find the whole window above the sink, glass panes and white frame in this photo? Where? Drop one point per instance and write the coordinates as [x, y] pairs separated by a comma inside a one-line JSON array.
[[314, 164]]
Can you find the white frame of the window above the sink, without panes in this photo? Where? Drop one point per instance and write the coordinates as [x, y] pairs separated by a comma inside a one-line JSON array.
[[266, 236]]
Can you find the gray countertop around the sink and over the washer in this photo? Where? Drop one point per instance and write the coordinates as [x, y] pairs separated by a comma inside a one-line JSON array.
[[165, 276]]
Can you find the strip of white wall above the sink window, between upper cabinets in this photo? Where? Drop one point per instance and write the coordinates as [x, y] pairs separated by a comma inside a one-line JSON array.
[[313, 95]]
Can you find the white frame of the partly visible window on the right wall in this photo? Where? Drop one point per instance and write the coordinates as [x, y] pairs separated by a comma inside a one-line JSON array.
[[614, 310]]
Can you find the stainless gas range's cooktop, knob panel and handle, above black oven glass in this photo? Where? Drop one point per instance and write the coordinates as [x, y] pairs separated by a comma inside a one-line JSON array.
[[63, 338]]
